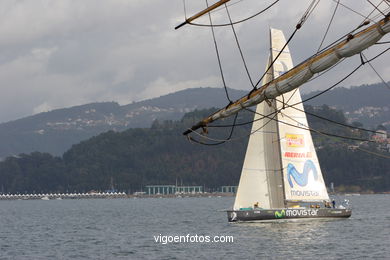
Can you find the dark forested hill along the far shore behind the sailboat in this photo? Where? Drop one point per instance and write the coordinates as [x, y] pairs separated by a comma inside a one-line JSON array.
[[162, 155]]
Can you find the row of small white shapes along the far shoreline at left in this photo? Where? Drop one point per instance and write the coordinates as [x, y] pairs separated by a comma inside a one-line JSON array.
[[51, 196]]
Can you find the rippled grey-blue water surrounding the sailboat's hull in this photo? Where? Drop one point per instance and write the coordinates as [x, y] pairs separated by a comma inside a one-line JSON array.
[[124, 229]]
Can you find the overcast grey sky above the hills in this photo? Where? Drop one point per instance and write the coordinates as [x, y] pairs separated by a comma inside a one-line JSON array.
[[62, 53]]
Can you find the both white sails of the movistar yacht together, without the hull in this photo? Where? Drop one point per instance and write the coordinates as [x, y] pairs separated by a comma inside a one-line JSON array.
[[280, 162]]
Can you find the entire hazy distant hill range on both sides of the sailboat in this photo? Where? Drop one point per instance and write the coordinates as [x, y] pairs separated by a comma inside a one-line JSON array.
[[56, 131]]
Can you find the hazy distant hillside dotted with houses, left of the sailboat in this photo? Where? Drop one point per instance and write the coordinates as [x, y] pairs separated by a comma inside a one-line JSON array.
[[56, 131]]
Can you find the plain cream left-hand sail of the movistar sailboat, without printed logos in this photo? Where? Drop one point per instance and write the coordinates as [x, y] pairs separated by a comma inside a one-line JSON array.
[[262, 164]]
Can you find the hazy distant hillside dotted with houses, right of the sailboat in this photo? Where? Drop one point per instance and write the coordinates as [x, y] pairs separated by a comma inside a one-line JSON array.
[[368, 104]]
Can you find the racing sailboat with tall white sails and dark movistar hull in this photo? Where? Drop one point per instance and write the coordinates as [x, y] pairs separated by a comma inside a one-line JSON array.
[[281, 176]]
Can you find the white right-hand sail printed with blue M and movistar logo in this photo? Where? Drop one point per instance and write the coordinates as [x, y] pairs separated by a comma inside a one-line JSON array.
[[302, 175]]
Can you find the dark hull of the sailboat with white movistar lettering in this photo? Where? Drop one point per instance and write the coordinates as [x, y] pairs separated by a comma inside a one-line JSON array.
[[296, 213]]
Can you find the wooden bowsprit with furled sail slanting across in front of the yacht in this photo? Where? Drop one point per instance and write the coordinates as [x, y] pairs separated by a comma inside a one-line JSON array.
[[295, 77]]
